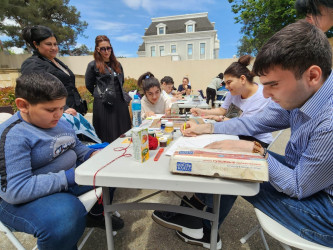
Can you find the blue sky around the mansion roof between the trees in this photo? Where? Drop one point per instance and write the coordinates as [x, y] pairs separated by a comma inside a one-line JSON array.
[[124, 21]]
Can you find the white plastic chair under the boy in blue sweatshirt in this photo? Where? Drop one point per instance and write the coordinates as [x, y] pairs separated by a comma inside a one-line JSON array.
[[88, 199]]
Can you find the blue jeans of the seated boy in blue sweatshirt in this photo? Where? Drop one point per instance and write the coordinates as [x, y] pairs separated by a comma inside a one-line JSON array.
[[57, 220]]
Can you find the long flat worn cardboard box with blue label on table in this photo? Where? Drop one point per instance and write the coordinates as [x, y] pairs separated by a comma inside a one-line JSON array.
[[218, 163]]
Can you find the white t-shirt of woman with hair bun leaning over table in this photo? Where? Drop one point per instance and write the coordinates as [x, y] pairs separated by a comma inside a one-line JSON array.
[[238, 107]]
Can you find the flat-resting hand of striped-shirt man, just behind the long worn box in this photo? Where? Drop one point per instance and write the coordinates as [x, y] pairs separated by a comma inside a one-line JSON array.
[[232, 145]]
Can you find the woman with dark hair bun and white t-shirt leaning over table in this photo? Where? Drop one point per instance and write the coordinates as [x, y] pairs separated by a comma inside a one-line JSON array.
[[245, 97]]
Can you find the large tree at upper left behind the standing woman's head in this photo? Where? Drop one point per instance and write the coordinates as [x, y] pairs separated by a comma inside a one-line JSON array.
[[64, 20]]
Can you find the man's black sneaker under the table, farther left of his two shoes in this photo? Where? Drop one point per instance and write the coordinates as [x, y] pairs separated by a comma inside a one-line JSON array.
[[187, 224]]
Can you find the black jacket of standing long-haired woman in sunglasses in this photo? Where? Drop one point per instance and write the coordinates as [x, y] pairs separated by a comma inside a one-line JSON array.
[[94, 78]]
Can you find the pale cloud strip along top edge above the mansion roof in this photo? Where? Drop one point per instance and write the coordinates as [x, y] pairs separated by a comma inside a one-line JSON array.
[[152, 6]]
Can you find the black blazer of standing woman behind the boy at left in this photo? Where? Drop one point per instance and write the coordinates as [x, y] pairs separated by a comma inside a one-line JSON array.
[[38, 63]]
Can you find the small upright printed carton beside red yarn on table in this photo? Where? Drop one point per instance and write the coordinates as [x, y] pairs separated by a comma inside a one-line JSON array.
[[140, 144]]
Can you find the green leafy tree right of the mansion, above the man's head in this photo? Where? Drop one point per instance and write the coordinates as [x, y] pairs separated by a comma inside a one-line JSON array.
[[261, 19]]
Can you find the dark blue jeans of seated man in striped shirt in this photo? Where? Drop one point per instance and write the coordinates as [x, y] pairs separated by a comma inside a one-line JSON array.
[[310, 218]]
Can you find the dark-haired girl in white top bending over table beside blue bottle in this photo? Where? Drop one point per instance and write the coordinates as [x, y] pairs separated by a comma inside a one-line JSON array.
[[153, 102]]
